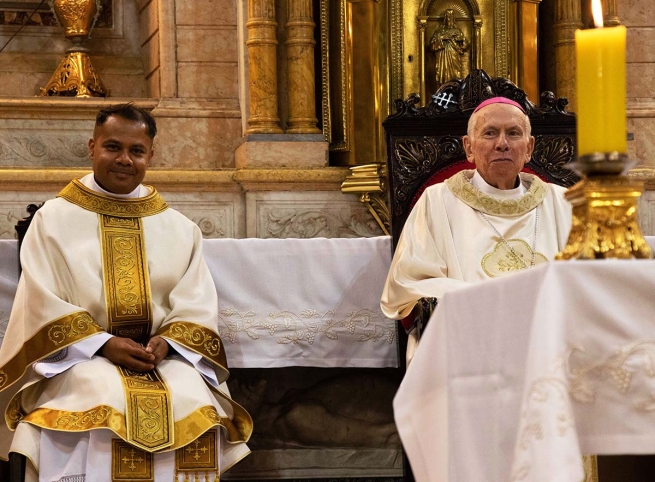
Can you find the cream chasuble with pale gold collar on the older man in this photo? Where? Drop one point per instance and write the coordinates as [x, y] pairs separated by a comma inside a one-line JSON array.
[[446, 243]]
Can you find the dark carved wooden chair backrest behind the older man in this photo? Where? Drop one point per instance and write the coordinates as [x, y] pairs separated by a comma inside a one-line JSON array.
[[424, 144]]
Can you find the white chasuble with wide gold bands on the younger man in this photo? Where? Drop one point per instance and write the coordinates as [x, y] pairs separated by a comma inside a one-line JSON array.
[[132, 268]]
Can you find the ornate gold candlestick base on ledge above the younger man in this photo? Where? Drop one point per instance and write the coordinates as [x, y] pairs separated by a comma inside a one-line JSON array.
[[75, 75]]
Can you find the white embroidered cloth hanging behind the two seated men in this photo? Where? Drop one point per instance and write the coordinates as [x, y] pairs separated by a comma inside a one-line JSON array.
[[286, 302]]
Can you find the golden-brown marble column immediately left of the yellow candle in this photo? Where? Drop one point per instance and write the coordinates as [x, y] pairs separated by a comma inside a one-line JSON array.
[[567, 20]]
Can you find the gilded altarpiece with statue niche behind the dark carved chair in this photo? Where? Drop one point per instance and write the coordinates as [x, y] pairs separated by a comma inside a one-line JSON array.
[[393, 44]]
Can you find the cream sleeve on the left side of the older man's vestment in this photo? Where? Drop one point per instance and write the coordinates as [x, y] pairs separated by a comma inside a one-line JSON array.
[[425, 262]]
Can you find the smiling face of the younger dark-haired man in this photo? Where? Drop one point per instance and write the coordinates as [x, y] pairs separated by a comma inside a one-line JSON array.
[[120, 151]]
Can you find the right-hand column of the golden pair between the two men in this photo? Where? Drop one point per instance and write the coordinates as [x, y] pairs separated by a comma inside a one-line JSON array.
[[300, 66]]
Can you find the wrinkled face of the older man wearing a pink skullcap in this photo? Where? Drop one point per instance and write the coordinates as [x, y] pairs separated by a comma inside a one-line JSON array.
[[500, 144]]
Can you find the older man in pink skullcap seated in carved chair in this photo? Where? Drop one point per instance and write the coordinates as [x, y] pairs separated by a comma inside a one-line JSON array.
[[482, 223]]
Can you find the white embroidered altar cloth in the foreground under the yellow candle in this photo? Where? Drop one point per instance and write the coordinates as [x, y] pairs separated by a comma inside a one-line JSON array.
[[516, 378]]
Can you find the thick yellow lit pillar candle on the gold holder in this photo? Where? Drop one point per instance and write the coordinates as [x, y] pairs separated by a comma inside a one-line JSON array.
[[601, 90]]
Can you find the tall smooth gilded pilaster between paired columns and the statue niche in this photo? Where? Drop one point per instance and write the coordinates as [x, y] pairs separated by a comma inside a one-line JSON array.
[[356, 96]]
